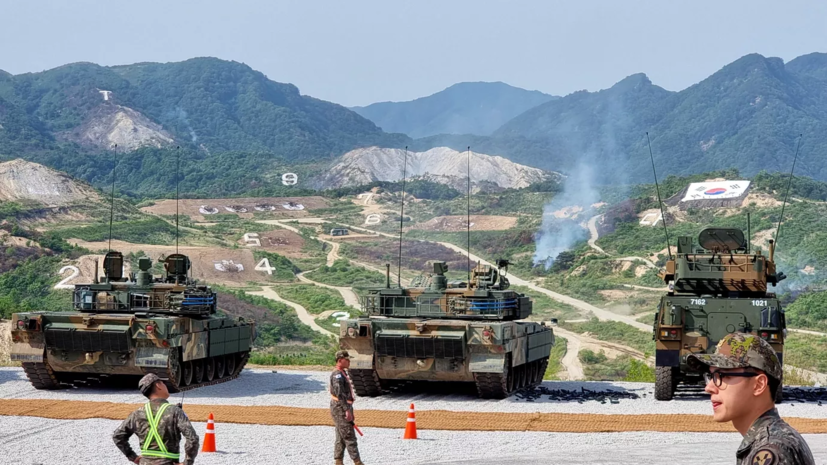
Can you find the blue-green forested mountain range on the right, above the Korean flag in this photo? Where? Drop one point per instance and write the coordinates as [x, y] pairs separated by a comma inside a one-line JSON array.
[[746, 116]]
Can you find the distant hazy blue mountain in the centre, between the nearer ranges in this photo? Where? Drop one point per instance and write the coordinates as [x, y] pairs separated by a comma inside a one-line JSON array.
[[464, 108]]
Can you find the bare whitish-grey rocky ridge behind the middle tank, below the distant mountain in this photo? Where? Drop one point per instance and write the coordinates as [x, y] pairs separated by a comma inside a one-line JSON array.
[[441, 164]]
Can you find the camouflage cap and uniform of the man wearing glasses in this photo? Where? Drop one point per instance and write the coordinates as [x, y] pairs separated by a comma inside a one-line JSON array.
[[770, 440]]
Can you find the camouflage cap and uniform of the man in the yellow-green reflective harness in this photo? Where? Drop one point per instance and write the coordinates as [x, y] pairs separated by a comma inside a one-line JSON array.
[[171, 426]]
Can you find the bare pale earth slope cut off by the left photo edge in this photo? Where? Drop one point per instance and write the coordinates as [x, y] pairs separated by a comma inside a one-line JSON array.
[[23, 180]]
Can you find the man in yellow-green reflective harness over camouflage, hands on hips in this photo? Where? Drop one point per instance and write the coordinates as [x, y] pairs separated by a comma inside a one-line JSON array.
[[159, 426]]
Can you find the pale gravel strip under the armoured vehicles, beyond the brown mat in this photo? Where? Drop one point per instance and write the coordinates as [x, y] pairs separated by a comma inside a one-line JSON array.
[[309, 389]]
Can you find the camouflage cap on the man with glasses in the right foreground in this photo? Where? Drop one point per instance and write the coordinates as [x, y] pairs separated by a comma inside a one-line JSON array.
[[740, 350]]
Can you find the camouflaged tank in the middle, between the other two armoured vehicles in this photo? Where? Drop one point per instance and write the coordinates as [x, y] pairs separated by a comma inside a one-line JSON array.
[[441, 331]]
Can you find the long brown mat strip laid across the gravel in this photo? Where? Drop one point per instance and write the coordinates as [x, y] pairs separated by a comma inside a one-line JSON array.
[[427, 419]]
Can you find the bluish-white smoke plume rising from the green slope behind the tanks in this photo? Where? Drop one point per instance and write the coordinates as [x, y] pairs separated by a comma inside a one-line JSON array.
[[558, 234]]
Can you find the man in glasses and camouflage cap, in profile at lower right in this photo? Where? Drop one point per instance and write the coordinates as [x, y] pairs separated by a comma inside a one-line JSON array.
[[743, 377]]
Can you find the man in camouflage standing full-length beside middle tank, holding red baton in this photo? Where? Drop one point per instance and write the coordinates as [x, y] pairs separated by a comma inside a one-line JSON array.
[[341, 409]]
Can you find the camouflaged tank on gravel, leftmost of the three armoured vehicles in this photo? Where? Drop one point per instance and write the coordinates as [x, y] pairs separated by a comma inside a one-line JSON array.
[[133, 326]]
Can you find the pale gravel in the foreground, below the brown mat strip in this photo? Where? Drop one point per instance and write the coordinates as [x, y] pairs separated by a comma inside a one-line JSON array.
[[22, 442]]
